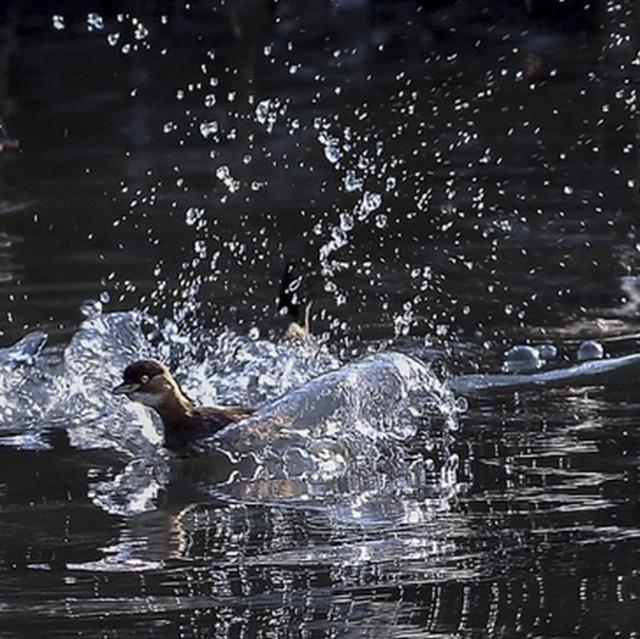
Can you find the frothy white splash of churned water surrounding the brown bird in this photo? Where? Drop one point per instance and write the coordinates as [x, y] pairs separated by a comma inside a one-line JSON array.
[[340, 434]]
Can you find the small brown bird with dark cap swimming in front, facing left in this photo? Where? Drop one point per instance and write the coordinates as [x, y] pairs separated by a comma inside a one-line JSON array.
[[149, 382]]
